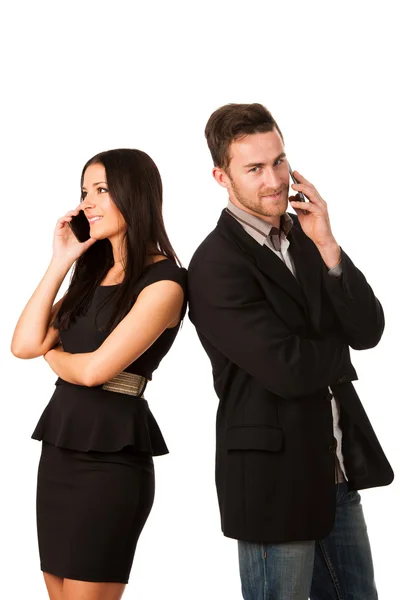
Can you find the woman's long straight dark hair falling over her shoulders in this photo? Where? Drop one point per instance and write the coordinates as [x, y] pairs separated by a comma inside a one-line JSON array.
[[135, 186]]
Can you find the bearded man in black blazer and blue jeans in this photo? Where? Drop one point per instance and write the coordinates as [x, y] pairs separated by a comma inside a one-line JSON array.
[[276, 303]]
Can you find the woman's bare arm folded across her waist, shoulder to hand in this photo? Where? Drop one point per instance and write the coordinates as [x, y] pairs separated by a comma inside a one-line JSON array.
[[157, 308]]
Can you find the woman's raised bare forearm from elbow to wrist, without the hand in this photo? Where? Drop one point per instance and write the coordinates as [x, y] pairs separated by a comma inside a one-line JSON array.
[[33, 325]]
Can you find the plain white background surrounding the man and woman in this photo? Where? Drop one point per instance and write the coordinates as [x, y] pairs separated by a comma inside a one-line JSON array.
[[80, 79]]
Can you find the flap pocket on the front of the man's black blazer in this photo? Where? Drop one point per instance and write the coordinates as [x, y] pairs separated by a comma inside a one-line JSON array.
[[254, 437]]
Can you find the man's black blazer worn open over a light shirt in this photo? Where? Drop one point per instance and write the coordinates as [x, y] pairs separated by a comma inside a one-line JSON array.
[[275, 345]]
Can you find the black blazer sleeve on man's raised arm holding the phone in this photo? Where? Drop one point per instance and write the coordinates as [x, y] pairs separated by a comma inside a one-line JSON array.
[[355, 305]]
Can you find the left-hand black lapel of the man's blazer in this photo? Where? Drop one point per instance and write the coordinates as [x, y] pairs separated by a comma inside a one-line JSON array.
[[267, 261]]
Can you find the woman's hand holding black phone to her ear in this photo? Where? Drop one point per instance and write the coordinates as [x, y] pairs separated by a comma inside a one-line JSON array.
[[66, 247]]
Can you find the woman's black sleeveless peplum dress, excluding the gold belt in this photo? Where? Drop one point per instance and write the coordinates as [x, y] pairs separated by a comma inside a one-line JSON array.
[[96, 478]]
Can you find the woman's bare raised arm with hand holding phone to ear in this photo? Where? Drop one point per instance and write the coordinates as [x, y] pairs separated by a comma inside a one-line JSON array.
[[33, 335]]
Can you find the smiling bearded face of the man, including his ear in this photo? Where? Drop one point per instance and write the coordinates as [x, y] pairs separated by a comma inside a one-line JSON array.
[[258, 175]]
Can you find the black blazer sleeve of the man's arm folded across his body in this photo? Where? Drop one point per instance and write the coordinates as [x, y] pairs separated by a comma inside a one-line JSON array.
[[229, 309]]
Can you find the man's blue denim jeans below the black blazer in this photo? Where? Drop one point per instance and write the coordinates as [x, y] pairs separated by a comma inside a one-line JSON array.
[[338, 567]]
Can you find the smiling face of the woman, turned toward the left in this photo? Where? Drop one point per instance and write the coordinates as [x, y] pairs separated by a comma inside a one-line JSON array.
[[104, 218]]
